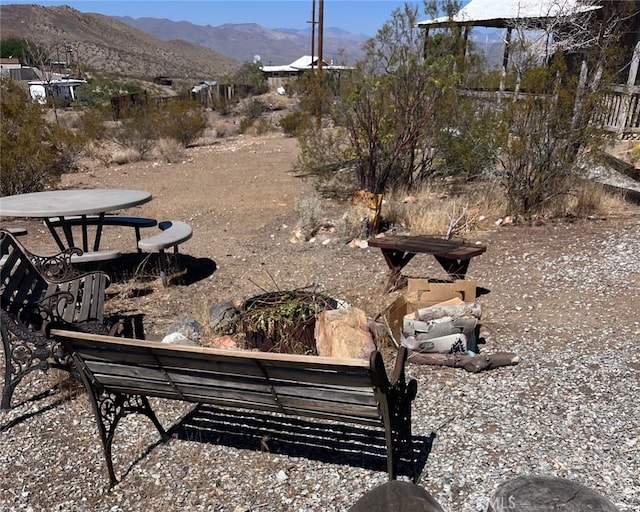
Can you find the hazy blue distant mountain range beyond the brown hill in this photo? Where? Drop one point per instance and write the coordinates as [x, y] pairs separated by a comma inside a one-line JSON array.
[[243, 41]]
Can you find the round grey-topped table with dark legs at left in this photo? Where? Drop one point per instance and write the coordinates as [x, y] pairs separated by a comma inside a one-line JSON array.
[[72, 202]]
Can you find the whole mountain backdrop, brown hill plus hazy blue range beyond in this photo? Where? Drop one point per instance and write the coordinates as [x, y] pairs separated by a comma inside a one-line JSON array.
[[107, 45]]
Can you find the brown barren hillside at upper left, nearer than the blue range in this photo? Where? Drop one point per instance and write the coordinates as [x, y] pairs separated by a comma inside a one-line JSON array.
[[102, 43]]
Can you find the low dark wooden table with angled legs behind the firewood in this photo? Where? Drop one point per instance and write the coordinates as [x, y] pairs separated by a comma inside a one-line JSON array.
[[453, 255]]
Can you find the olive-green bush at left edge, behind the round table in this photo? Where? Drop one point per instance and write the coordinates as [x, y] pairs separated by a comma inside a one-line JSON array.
[[34, 152]]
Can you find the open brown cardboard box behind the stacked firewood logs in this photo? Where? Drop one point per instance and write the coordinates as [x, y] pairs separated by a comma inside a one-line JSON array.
[[422, 293]]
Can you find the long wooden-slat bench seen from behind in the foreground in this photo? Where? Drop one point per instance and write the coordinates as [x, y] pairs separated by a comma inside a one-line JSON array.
[[120, 374]]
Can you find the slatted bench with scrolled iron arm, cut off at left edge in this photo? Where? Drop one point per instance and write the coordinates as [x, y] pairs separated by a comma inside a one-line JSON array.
[[36, 290]]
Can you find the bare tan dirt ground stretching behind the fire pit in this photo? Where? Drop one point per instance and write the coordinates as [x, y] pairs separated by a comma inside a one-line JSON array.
[[239, 195]]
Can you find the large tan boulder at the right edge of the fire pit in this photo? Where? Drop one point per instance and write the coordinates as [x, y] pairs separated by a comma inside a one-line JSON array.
[[343, 333]]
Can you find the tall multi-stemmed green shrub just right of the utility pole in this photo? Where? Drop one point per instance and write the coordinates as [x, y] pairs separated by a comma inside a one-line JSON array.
[[392, 108]]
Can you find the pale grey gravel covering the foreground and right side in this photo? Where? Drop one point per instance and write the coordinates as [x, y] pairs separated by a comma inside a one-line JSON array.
[[569, 409]]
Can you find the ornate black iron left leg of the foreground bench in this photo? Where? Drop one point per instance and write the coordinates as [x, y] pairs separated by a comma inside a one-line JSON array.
[[109, 409]]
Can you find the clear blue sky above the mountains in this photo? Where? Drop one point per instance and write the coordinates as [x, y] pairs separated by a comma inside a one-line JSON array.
[[355, 16]]
